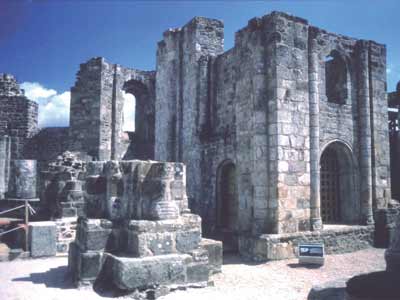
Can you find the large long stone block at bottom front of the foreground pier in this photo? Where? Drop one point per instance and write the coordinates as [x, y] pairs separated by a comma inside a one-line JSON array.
[[140, 273]]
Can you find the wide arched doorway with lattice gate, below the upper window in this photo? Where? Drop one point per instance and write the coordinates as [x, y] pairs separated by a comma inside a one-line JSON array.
[[339, 197]]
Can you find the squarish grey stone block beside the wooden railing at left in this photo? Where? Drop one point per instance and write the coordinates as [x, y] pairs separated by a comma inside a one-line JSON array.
[[42, 238]]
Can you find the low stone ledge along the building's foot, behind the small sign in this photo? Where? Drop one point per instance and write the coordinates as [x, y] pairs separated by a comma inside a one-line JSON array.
[[336, 238]]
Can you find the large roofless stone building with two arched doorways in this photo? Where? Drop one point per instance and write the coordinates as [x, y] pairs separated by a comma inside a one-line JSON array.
[[264, 106]]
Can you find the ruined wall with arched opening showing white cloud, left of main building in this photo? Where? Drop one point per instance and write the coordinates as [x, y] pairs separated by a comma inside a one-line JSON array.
[[97, 112]]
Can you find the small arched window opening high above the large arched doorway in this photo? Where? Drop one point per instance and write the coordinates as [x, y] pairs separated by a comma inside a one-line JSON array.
[[336, 78]]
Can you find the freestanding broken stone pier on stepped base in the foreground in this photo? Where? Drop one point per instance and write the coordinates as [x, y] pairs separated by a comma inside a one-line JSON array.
[[139, 233]]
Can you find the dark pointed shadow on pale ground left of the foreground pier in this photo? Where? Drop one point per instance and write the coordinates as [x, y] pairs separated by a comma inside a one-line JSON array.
[[54, 278]]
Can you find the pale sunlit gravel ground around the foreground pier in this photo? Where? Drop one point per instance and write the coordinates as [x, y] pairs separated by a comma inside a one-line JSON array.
[[46, 279]]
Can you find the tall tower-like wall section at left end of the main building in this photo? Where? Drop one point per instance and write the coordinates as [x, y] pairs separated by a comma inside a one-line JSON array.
[[184, 57]]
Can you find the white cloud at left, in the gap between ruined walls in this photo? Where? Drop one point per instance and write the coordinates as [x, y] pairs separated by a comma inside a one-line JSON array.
[[53, 107]]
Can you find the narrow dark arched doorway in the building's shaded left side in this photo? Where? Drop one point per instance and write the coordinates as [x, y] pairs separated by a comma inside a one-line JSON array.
[[227, 205]]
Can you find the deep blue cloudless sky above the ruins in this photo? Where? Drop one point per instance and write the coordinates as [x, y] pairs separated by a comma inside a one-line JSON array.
[[45, 41]]
